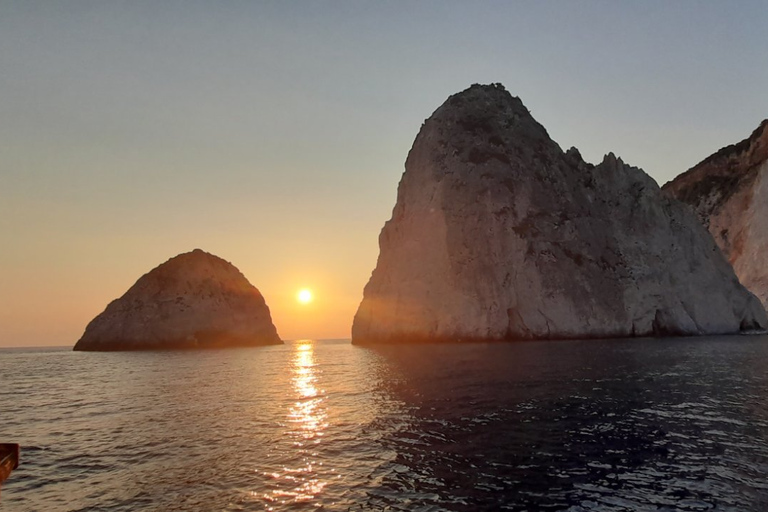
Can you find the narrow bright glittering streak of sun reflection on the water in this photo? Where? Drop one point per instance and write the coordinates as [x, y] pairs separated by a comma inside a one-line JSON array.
[[307, 420]]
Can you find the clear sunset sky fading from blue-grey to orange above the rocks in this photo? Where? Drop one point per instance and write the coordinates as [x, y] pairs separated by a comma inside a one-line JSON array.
[[273, 134]]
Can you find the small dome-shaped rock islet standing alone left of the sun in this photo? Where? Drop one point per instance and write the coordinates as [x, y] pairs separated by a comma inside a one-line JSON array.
[[194, 300]]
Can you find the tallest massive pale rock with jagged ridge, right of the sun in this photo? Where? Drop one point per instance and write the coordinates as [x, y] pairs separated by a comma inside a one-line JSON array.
[[499, 234]]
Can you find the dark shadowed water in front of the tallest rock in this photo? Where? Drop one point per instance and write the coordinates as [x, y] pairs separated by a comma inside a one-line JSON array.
[[581, 426]]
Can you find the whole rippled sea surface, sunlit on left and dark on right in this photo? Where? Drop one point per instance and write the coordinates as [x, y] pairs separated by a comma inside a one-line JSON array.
[[597, 425]]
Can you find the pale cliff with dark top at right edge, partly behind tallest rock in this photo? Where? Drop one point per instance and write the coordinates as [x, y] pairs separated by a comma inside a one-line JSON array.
[[729, 192]]
